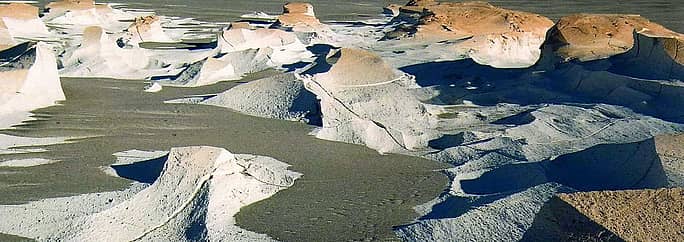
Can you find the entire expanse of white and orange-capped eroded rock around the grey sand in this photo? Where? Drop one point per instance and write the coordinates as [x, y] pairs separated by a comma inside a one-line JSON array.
[[563, 130]]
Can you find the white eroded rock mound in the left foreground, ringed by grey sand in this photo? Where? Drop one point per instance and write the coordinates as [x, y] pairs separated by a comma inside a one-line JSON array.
[[195, 198]]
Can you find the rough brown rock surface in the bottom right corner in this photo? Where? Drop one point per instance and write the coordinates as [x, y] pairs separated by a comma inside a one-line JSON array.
[[636, 215]]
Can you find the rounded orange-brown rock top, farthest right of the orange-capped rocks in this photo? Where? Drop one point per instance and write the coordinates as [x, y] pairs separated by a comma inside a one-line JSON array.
[[587, 37]]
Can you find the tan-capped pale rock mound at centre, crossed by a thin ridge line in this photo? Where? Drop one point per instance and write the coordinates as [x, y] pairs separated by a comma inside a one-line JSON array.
[[358, 94]]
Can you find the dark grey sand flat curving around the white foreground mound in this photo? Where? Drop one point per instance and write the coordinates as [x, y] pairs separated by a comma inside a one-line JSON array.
[[348, 191]]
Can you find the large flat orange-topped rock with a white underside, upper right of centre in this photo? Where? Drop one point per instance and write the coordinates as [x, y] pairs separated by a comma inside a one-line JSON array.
[[490, 35]]
